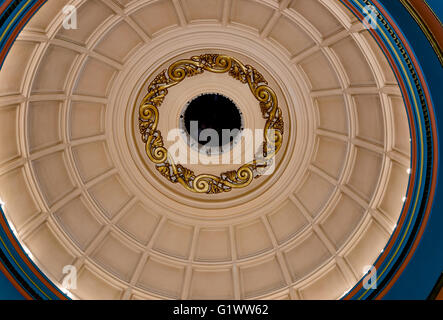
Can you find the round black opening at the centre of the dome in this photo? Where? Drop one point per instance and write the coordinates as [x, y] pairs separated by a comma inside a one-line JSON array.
[[212, 111]]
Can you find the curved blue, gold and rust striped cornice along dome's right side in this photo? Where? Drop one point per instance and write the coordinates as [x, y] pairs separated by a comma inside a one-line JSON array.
[[421, 189]]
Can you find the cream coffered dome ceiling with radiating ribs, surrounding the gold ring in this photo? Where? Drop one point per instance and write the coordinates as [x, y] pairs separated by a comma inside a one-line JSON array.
[[79, 188]]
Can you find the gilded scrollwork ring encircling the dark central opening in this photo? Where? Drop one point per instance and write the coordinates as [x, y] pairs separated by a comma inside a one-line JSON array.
[[208, 183]]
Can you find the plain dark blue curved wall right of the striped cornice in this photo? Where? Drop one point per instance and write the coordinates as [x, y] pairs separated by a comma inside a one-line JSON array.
[[424, 269]]
